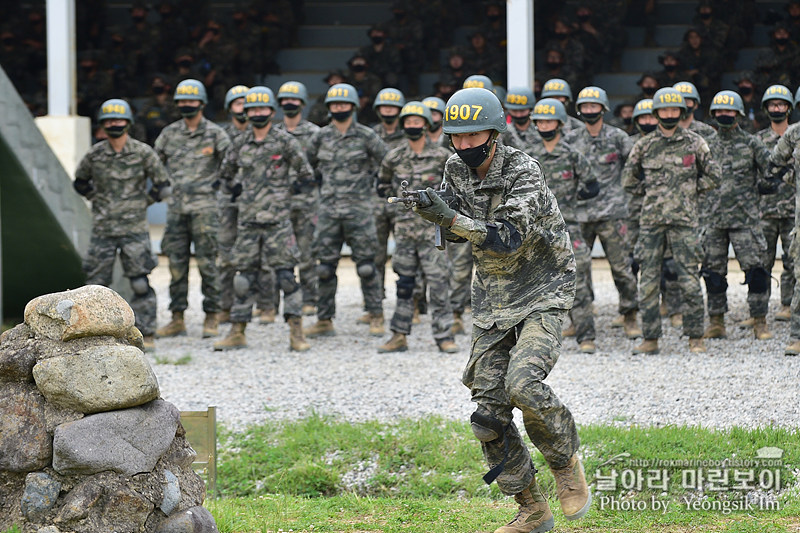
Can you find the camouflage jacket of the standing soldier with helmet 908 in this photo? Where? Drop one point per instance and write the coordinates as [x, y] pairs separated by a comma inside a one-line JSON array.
[[267, 171]]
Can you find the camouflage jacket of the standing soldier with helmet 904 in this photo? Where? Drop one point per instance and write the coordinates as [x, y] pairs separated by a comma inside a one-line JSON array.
[[193, 160]]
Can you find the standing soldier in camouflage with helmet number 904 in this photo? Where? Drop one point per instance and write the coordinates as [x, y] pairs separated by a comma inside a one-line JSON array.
[[192, 149]]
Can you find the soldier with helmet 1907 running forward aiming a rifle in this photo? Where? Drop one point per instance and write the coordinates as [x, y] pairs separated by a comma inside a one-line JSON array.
[[524, 287]]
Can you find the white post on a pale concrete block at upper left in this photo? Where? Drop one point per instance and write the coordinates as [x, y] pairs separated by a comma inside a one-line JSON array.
[[61, 81]]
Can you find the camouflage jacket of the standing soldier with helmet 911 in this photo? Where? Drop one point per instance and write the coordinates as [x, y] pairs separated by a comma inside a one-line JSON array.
[[347, 163]]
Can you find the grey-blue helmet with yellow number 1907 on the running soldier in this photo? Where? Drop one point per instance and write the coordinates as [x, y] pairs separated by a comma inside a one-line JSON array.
[[473, 109]]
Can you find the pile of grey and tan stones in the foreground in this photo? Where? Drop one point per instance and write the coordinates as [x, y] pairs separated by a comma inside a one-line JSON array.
[[86, 444]]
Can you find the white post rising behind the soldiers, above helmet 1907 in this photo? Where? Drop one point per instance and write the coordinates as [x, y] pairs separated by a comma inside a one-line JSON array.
[[519, 44]]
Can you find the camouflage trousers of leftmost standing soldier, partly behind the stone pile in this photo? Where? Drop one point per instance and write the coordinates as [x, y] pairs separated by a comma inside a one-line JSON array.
[[137, 260]]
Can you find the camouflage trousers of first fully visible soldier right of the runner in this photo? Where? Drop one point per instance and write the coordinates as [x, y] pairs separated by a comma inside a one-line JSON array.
[[612, 235]]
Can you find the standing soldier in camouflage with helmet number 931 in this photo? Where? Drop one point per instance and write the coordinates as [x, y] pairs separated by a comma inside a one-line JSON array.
[[732, 217]]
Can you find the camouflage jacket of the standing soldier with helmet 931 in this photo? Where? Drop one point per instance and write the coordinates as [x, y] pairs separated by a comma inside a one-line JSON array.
[[735, 203]]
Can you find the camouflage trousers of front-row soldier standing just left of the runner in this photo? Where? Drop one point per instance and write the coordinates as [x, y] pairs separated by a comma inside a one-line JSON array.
[[415, 251]]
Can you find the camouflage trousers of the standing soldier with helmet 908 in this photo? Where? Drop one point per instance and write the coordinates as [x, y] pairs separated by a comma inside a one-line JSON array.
[[263, 246]]
